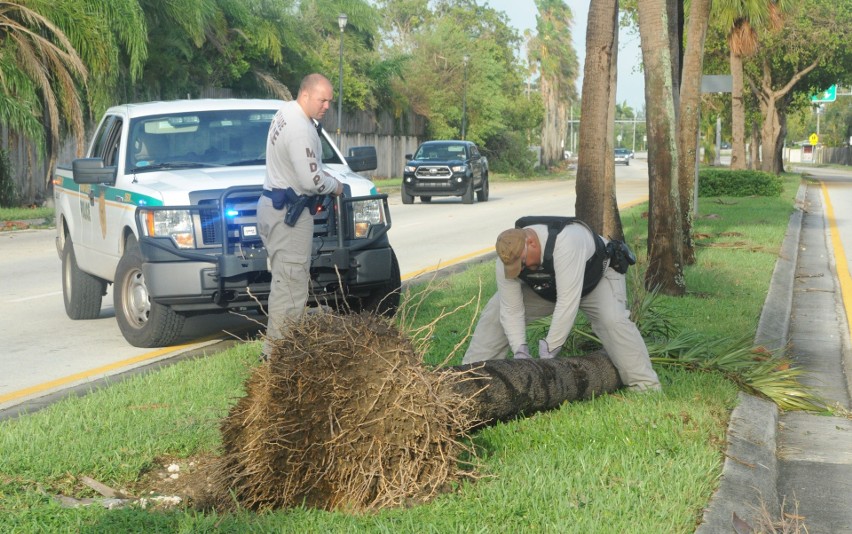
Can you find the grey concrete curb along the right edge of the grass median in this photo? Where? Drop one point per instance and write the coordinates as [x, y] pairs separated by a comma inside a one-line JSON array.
[[750, 472]]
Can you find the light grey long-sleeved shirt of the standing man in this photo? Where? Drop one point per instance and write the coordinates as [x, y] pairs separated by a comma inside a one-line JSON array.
[[294, 154]]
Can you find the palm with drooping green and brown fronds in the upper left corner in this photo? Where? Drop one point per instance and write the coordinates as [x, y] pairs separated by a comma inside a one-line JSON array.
[[58, 59]]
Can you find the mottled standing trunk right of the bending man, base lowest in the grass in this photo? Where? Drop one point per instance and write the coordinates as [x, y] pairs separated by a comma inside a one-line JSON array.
[[665, 231]]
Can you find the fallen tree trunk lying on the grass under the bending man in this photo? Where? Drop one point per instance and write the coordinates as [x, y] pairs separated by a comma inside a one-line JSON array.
[[507, 389]]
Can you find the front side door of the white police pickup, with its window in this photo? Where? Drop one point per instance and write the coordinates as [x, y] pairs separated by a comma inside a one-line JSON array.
[[93, 203]]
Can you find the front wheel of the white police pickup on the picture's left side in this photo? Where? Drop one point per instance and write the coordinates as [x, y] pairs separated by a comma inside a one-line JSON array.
[[142, 322]]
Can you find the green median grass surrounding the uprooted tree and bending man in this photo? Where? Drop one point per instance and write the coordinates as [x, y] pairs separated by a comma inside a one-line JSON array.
[[620, 463]]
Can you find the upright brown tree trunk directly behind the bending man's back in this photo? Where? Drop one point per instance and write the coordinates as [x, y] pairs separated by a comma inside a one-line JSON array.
[[596, 166]]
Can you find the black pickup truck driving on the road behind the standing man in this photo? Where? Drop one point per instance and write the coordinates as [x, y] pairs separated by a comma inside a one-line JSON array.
[[445, 168]]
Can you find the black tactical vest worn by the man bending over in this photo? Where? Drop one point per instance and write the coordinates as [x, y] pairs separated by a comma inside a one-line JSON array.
[[543, 280]]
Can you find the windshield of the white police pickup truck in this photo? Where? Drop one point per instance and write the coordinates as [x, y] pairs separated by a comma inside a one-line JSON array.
[[201, 139]]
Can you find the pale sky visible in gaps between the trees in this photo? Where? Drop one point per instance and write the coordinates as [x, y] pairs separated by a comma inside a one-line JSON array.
[[631, 82]]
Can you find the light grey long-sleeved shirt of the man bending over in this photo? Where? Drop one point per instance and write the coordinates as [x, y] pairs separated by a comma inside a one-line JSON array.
[[574, 246]]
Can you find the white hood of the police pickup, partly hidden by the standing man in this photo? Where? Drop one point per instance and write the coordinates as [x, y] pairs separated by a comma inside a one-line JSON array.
[[174, 186]]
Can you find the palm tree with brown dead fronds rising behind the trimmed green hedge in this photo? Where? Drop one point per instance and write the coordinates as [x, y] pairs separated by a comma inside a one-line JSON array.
[[743, 18]]
